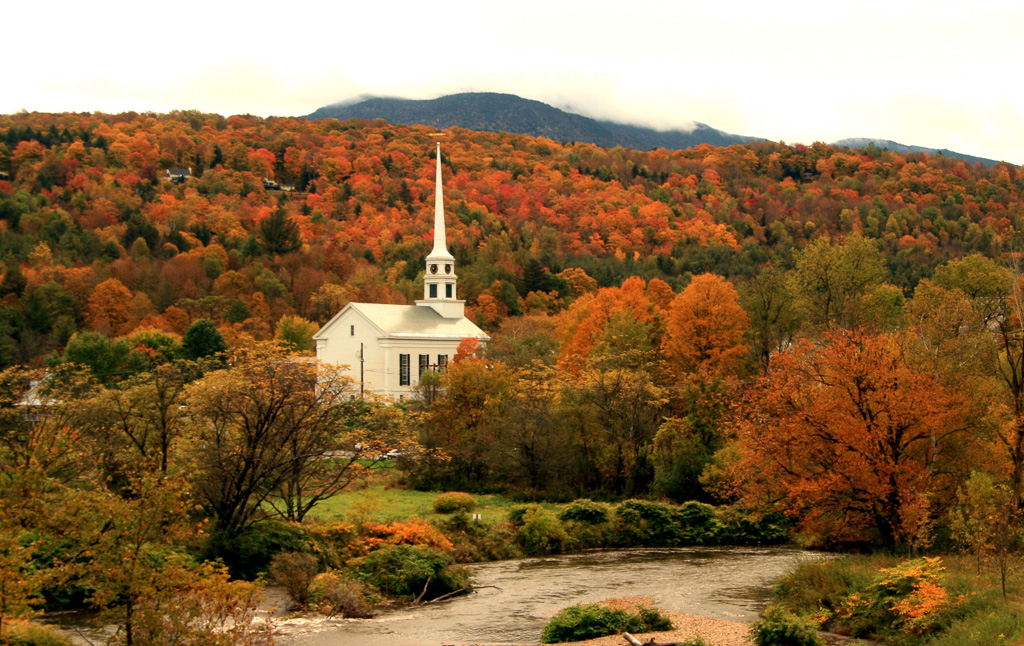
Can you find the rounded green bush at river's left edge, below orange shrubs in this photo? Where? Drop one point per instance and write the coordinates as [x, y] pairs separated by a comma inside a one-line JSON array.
[[409, 572]]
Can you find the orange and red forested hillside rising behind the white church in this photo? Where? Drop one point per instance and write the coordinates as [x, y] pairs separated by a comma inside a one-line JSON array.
[[96, 237]]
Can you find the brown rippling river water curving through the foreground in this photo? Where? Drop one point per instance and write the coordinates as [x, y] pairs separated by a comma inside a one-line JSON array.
[[719, 583]]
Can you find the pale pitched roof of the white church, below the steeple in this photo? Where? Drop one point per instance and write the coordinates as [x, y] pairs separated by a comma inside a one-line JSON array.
[[410, 322]]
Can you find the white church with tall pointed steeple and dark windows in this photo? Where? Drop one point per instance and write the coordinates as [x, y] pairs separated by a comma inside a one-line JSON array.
[[389, 348]]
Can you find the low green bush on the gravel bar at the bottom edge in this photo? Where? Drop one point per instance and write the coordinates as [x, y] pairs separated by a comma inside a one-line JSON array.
[[591, 621]]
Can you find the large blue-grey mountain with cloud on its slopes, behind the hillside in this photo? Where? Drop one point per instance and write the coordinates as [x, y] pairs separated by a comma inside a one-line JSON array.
[[492, 112]]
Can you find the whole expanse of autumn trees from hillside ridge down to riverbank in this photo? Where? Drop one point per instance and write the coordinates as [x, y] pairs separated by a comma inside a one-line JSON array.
[[828, 335]]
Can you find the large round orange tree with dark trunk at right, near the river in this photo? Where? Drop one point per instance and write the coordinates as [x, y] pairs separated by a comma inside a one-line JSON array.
[[842, 433]]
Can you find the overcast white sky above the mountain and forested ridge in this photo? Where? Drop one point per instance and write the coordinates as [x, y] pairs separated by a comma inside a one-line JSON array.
[[933, 73]]
